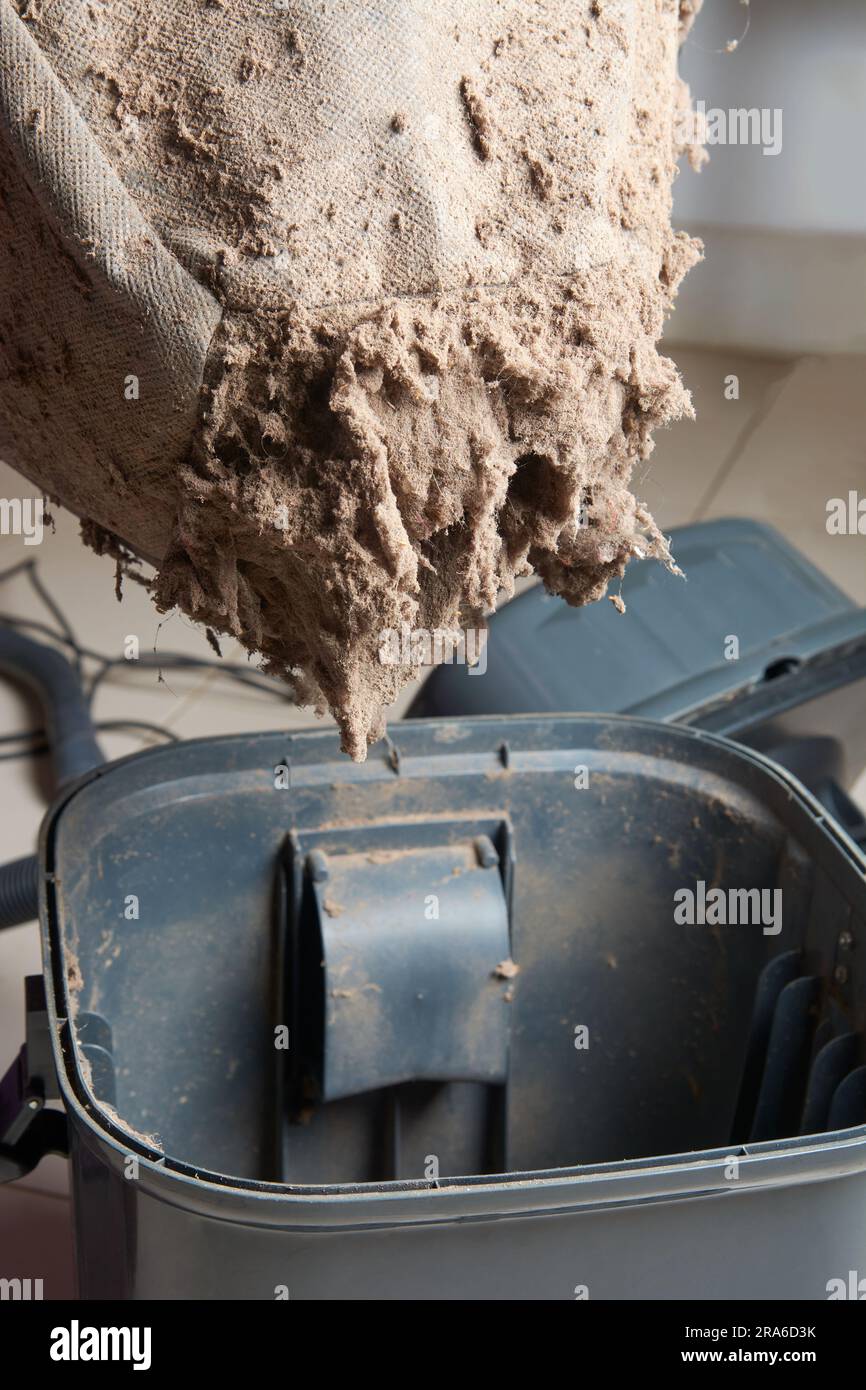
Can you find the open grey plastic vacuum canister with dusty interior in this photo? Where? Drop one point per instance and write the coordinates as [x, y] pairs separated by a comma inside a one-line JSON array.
[[704, 1136]]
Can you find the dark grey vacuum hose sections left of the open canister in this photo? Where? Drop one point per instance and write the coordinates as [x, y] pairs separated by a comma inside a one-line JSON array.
[[73, 743]]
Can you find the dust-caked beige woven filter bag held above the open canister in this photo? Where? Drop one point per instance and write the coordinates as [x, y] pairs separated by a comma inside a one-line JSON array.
[[343, 315]]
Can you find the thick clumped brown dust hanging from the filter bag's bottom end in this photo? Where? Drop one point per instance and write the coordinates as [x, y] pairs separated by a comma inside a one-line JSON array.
[[359, 472]]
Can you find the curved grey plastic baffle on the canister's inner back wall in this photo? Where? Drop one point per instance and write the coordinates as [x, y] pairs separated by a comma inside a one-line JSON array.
[[398, 949]]
